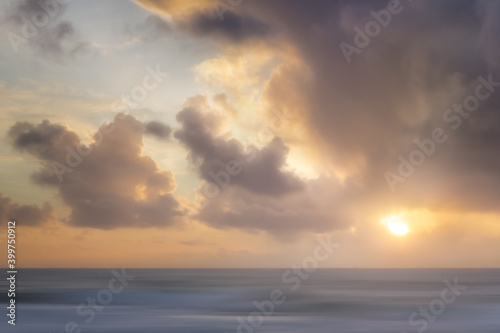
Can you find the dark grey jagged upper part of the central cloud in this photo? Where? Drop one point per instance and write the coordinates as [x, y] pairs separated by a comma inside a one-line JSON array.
[[264, 169]]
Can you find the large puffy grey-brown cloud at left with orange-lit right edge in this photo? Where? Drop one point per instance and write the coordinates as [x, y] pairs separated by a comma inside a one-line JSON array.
[[108, 184]]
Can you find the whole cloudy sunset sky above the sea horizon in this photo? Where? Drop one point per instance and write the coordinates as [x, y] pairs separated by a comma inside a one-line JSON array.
[[236, 133]]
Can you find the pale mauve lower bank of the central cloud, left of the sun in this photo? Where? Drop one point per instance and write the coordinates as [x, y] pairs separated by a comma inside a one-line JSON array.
[[321, 207]]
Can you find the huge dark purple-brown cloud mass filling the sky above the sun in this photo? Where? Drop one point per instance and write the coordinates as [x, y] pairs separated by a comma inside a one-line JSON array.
[[395, 90]]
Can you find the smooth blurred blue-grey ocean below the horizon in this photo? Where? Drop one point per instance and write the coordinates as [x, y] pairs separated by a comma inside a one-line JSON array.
[[255, 300]]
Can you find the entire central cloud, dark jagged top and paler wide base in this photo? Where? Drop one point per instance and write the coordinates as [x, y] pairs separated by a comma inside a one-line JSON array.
[[263, 195]]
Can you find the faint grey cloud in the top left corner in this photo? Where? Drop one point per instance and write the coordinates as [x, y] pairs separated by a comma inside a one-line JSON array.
[[39, 25]]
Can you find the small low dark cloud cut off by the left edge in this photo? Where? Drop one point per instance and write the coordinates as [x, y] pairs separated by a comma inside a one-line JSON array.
[[24, 215]]
